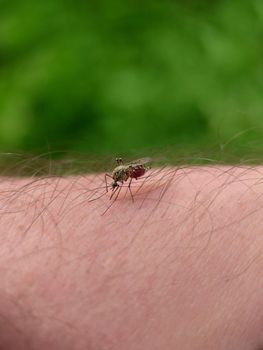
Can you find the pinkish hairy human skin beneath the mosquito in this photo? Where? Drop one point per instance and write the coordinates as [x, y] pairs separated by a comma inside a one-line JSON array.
[[180, 268]]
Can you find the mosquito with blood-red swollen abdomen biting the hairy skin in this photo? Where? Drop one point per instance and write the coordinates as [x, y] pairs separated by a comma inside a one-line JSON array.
[[123, 172]]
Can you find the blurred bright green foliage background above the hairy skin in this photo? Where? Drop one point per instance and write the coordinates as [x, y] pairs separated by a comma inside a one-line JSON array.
[[119, 77]]
